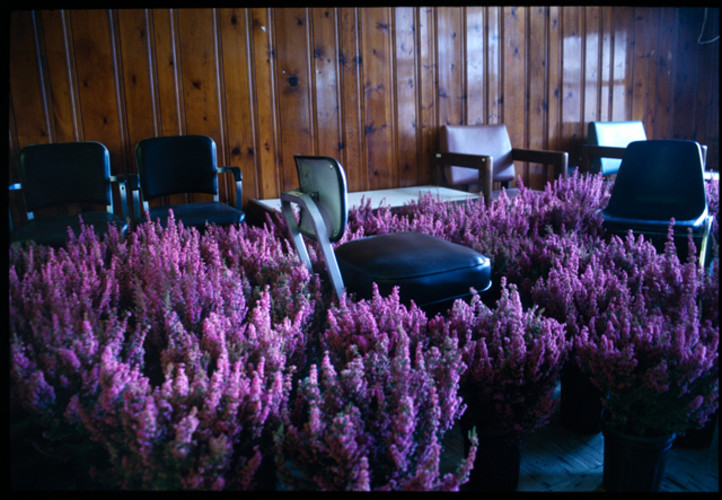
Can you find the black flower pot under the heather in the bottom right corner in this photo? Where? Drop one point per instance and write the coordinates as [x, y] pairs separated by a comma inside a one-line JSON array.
[[634, 463]]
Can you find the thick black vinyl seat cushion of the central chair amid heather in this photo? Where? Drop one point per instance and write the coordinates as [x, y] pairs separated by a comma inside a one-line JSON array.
[[427, 269]]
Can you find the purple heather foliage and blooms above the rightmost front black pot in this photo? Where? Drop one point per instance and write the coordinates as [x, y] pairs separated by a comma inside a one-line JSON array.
[[645, 330]]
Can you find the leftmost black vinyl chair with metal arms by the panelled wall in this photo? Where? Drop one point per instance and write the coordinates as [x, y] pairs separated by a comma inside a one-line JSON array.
[[71, 177]]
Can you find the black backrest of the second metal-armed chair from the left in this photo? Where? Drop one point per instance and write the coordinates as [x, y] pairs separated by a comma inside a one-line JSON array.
[[177, 164]]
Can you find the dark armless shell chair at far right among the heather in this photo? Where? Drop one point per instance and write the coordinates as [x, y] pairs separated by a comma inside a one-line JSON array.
[[659, 180]]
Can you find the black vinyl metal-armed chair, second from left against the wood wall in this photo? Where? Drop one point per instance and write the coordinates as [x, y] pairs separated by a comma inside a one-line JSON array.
[[177, 165]]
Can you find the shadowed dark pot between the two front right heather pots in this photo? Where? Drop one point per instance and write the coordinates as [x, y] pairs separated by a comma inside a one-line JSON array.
[[580, 401]]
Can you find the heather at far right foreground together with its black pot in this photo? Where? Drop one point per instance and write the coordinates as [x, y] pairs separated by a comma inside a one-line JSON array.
[[652, 354]]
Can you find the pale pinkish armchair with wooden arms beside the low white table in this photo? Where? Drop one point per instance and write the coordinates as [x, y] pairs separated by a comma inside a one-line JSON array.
[[481, 155]]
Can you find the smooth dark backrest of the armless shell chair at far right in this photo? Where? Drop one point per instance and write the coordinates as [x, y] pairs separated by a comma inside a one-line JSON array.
[[658, 180]]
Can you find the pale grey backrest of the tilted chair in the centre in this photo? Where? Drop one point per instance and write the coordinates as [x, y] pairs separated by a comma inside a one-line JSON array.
[[323, 178]]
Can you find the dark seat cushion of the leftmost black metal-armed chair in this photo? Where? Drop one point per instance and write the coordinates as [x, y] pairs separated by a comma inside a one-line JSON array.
[[54, 230]]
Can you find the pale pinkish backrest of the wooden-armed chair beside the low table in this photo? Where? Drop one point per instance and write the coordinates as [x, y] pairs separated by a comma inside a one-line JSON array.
[[490, 140]]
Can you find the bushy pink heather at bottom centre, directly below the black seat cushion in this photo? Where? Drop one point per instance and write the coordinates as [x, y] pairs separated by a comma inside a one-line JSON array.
[[372, 414]]
